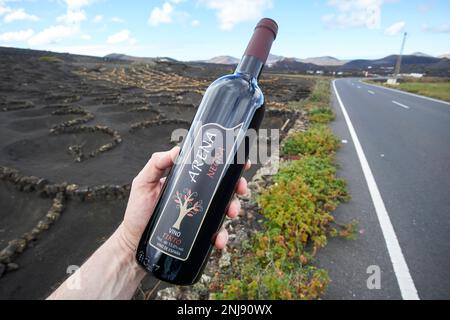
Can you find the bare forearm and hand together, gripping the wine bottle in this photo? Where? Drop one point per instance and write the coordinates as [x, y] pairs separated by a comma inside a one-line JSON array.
[[112, 272]]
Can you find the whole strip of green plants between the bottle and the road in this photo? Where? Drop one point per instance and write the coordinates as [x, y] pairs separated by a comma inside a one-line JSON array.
[[276, 263]]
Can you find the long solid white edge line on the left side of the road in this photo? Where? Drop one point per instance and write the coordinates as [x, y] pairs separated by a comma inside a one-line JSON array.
[[401, 270]]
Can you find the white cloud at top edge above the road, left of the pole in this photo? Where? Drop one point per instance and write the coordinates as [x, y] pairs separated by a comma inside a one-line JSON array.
[[355, 13]]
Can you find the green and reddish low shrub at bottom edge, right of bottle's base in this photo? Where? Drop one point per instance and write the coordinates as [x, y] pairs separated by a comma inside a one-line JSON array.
[[276, 271]]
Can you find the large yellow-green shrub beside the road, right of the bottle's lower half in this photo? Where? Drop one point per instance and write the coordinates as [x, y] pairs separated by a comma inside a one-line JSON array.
[[300, 202]]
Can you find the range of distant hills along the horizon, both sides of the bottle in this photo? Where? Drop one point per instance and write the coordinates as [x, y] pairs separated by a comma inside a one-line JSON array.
[[417, 63]]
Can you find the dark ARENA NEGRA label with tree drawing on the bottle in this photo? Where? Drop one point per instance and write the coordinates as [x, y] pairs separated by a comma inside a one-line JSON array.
[[197, 178]]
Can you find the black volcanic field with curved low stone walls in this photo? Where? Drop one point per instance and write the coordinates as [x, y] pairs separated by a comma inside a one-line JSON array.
[[82, 128]]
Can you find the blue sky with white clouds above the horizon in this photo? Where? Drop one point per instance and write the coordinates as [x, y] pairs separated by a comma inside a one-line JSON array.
[[201, 29]]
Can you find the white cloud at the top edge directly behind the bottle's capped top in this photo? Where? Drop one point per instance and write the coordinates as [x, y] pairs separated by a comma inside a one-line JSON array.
[[232, 12]]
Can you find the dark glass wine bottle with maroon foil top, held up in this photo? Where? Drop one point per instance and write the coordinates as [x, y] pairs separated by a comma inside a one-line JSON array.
[[179, 237]]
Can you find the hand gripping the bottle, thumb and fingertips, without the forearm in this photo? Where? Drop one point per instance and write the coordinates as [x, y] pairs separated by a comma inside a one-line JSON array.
[[144, 193]]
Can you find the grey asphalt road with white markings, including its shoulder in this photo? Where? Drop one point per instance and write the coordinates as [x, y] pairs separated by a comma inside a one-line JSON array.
[[396, 158]]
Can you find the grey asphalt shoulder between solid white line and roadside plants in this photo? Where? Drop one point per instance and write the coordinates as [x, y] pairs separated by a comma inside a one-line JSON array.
[[348, 262]]
